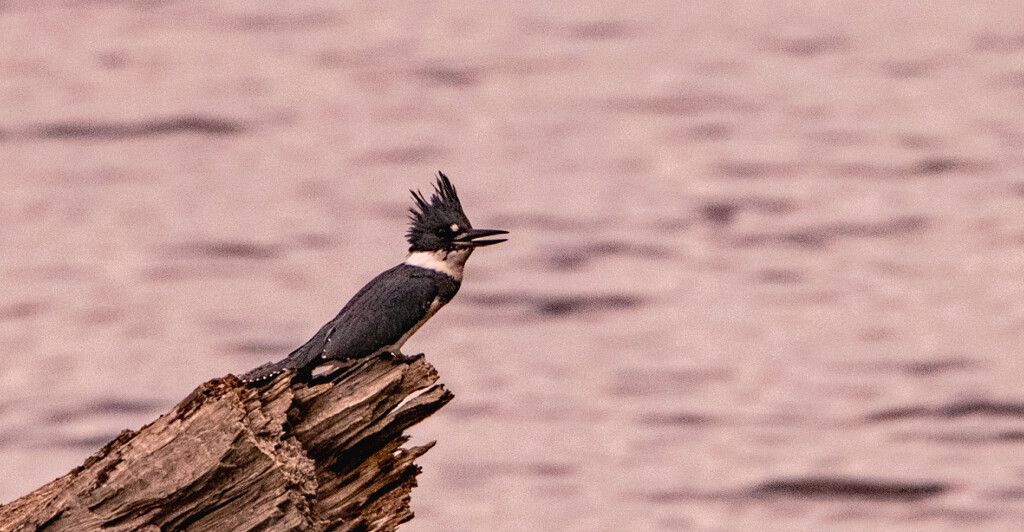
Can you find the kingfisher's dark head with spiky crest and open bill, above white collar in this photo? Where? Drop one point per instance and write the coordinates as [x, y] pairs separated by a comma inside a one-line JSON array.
[[441, 225]]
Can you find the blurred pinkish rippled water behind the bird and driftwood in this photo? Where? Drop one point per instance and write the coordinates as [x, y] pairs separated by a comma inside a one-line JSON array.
[[764, 272]]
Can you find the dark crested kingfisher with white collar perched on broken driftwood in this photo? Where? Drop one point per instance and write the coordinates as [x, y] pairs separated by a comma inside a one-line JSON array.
[[390, 309]]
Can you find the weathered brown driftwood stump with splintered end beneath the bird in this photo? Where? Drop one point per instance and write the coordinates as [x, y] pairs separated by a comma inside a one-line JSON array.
[[286, 457]]
